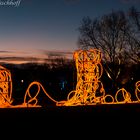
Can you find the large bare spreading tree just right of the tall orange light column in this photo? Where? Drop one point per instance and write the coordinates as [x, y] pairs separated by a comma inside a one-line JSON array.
[[109, 35]]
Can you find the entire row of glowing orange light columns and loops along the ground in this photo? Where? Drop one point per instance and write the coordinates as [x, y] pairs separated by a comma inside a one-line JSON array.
[[89, 89]]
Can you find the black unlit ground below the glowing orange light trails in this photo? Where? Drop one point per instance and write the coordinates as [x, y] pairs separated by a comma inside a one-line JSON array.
[[88, 120]]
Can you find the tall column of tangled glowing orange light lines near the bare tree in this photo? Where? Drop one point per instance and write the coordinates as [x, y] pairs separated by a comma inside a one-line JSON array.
[[89, 89]]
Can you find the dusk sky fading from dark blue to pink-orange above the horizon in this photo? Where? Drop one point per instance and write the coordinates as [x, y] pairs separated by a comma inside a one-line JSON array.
[[36, 27]]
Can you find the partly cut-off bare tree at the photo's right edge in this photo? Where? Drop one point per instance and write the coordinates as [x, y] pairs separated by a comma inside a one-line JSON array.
[[133, 37]]
